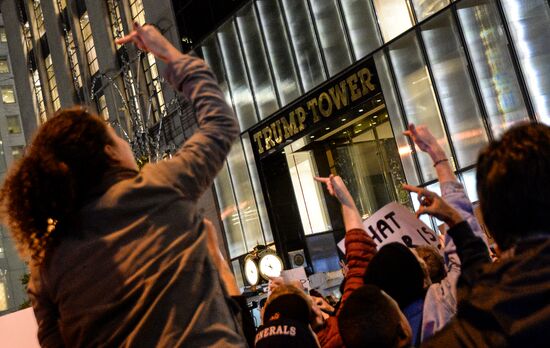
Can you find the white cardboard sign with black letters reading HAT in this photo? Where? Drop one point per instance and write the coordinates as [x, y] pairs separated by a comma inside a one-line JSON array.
[[395, 223]]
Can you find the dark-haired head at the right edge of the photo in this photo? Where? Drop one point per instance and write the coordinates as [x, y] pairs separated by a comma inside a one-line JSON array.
[[513, 183]]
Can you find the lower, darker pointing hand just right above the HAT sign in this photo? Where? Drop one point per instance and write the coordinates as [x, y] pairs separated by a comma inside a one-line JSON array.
[[433, 205]]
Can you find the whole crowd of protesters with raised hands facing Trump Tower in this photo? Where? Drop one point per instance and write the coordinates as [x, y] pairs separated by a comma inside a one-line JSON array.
[[122, 257]]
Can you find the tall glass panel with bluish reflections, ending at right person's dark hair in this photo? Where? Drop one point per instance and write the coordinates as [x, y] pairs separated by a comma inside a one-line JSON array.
[[493, 66]]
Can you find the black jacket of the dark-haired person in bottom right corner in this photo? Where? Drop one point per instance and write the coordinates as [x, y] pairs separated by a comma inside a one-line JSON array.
[[502, 304]]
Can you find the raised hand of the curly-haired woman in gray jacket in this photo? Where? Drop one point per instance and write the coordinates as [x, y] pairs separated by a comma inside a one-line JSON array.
[[147, 38]]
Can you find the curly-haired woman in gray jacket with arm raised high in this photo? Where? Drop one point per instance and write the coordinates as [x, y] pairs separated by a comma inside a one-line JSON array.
[[119, 257]]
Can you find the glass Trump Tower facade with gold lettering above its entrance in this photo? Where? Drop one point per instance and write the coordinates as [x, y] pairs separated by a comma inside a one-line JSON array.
[[329, 86]]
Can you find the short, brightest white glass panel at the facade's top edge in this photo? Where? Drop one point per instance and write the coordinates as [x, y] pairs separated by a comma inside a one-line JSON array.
[[394, 17]]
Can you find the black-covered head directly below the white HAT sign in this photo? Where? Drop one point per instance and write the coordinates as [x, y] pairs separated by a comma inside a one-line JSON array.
[[397, 271]]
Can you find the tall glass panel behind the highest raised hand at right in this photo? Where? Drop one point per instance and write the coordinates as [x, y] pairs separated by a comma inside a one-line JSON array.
[[418, 95]]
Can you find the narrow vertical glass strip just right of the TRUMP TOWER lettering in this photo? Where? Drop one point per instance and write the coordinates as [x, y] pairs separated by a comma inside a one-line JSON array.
[[396, 118]]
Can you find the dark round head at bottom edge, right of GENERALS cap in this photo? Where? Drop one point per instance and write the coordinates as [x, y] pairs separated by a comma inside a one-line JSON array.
[[369, 319]]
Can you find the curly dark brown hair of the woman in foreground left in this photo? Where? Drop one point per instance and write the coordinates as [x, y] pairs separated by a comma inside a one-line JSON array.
[[42, 191]]
